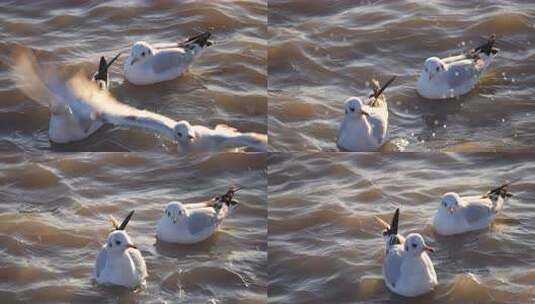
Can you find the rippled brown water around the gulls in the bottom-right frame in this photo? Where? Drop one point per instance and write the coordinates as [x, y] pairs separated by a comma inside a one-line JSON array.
[[325, 246]]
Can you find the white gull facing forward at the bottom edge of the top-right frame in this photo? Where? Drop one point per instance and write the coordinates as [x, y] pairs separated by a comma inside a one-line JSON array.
[[365, 124]]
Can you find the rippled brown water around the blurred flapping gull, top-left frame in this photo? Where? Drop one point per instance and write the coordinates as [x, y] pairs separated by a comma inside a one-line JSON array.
[[227, 84]]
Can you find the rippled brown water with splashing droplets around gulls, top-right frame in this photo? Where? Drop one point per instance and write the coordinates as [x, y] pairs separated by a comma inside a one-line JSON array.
[[321, 52]]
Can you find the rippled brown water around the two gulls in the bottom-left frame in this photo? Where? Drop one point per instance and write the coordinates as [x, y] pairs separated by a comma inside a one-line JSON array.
[[54, 218]]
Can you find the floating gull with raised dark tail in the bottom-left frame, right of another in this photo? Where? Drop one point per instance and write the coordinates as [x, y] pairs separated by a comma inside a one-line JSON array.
[[193, 223]]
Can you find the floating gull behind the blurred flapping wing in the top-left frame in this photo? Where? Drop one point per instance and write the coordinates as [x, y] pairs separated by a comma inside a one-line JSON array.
[[148, 64]]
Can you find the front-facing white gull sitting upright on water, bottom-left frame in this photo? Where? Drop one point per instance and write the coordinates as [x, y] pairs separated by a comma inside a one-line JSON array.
[[119, 261]]
